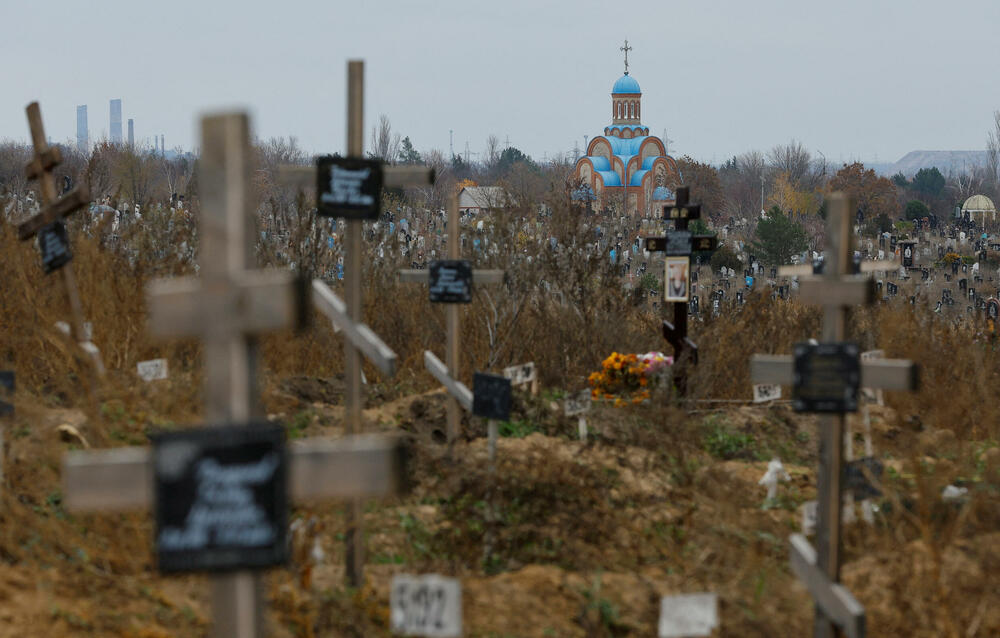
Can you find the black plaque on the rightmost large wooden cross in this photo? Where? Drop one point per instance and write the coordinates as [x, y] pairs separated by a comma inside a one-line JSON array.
[[827, 377]]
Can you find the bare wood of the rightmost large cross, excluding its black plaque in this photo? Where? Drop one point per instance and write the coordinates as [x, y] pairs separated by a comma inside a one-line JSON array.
[[836, 609]]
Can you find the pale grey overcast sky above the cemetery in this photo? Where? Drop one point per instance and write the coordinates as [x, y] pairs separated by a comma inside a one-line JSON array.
[[868, 79]]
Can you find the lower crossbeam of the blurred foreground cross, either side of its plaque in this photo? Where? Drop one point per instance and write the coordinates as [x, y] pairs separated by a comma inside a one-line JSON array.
[[352, 467]]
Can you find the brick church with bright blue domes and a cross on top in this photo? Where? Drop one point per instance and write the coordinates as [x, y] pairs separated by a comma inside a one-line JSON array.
[[627, 167]]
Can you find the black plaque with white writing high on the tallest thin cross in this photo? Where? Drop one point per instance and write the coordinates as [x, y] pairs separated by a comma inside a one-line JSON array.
[[348, 187]]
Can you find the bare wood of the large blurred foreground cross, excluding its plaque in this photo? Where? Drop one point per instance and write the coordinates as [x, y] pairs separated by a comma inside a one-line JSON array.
[[228, 308]]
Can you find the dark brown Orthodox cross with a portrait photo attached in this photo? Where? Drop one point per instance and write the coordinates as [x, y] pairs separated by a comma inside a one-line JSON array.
[[681, 243]]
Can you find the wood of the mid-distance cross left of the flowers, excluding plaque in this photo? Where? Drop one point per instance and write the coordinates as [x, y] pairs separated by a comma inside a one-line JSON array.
[[452, 369]]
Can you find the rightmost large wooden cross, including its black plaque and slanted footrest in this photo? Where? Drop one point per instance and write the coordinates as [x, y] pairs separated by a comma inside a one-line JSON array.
[[813, 375]]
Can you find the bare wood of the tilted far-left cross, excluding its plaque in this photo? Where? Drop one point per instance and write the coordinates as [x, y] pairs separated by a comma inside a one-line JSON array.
[[54, 209]]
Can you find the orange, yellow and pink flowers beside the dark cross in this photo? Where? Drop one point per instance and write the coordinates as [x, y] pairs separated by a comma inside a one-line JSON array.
[[627, 379]]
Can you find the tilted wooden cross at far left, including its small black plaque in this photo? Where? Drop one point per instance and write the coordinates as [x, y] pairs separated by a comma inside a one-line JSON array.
[[50, 228]]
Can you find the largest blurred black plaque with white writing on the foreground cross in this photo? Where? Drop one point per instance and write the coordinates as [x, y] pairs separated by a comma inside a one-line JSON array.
[[221, 498]]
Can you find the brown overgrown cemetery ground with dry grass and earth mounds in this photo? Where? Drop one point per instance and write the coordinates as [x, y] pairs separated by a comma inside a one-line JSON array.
[[662, 498]]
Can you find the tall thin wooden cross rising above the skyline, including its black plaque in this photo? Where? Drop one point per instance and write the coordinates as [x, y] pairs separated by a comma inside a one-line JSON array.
[[347, 316]]
